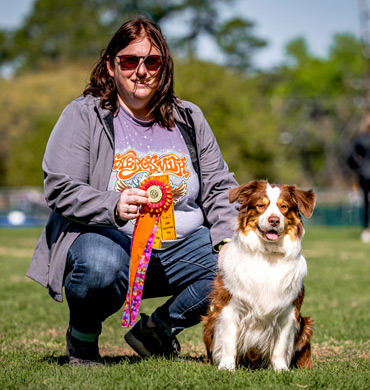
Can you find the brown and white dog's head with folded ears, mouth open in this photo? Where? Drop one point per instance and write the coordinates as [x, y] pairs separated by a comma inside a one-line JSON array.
[[272, 211]]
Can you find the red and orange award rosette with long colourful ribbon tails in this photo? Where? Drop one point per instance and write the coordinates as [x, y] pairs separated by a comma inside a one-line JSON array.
[[143, 238]]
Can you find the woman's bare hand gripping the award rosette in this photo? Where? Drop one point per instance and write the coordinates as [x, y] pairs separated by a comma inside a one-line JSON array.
[[130, 201]]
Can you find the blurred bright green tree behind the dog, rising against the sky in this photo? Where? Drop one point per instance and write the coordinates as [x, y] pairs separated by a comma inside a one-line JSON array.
[[319, 104]]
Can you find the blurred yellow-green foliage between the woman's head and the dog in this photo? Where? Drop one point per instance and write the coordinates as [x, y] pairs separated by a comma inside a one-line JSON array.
[[239, 115]]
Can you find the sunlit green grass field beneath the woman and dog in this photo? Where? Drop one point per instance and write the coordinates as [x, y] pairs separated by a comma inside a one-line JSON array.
[[32, 329]]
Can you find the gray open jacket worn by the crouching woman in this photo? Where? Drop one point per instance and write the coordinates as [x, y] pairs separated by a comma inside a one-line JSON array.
[[77, 165]]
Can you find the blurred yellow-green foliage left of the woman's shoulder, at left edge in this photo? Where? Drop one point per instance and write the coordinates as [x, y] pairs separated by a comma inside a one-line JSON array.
[[31, 106]]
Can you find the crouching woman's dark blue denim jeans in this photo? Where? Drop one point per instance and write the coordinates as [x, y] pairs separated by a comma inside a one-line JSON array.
[[97, 278]]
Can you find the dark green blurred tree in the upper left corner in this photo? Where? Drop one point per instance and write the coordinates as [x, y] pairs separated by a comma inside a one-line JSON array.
[[57, 31]]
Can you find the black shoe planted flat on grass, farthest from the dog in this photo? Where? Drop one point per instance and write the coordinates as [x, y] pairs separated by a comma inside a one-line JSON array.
[[82, 353]]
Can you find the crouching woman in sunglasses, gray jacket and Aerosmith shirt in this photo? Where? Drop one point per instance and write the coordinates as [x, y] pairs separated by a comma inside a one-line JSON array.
[[127, 124]]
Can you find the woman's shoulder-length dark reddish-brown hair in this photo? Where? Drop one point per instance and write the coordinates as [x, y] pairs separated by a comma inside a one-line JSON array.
[[103, 85]]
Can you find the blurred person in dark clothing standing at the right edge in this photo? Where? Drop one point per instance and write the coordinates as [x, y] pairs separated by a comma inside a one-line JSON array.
[[359, 161]]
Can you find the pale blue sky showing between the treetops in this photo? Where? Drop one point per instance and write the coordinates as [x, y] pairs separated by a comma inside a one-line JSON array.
[[277, 21]]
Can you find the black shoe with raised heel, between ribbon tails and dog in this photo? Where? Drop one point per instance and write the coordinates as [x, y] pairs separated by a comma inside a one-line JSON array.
[[149, 342]]
